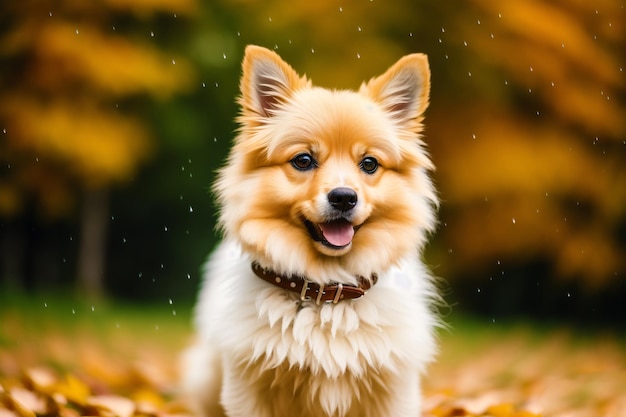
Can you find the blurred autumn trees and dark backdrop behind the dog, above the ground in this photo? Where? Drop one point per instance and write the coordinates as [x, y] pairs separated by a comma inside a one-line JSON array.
[[114, 116]]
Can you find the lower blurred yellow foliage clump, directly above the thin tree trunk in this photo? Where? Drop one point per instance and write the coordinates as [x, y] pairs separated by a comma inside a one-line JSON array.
[[95, 144]]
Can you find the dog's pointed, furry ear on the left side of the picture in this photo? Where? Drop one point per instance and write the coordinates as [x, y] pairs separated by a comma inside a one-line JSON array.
[[267, 82]]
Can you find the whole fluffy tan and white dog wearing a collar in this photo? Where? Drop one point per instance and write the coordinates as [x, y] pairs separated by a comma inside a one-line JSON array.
[[317, 303]]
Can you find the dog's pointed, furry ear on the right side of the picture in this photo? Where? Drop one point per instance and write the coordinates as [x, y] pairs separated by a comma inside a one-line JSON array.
[[403, 89]]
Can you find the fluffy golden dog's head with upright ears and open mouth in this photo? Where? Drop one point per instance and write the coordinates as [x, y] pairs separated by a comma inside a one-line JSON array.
[[328, 183]]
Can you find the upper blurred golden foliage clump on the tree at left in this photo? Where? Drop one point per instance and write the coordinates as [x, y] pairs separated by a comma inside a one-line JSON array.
[[112, 64]]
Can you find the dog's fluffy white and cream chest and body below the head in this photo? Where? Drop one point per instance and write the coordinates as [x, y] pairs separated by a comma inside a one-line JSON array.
[[260, 353]]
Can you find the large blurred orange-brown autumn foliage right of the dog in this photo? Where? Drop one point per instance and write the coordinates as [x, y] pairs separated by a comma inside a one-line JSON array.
[[534, 165]]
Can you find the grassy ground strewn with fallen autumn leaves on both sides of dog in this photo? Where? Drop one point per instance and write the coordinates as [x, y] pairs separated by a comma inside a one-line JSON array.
[[71, 359]]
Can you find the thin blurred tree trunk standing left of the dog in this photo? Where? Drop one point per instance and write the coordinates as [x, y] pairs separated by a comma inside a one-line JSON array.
[[93, 235]]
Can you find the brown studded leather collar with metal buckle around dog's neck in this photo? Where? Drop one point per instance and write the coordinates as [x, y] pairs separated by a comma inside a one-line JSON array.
[[311, 291]]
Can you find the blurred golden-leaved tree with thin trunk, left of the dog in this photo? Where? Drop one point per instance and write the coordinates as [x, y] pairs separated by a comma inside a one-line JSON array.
[[70, 74]]
